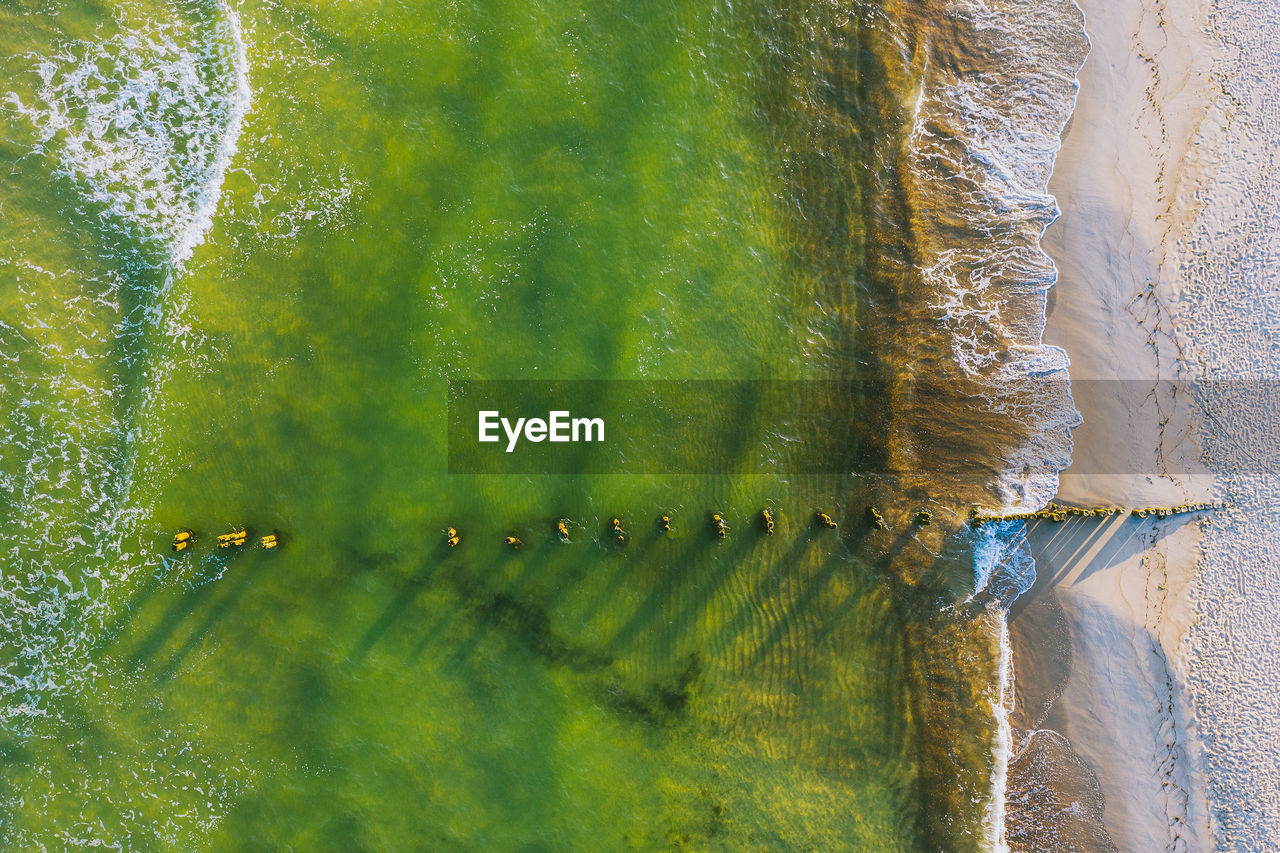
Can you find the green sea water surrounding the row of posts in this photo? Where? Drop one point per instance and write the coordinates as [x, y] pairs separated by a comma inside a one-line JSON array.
[[423, 194]]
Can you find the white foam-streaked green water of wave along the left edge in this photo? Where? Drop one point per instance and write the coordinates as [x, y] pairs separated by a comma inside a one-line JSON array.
[[140, 127]]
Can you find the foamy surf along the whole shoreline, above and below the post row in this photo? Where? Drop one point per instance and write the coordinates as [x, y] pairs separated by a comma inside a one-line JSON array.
[[994, 84]]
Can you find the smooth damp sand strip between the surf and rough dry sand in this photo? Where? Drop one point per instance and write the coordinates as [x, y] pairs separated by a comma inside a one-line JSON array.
[[1100, 690]]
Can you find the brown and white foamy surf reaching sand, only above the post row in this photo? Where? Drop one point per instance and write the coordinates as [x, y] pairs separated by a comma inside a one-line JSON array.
[[996, 86]]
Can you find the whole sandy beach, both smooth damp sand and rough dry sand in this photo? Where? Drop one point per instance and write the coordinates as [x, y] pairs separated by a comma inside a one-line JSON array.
[[1121, 642]]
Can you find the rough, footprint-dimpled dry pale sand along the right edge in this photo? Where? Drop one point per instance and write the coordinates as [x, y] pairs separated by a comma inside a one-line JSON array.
[[1231, 318]]
